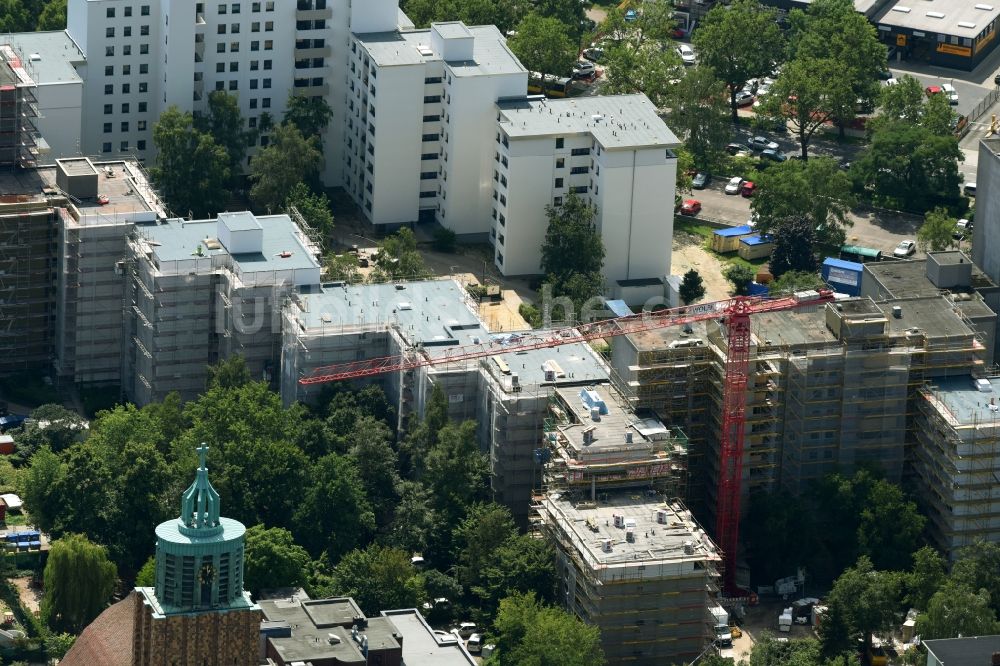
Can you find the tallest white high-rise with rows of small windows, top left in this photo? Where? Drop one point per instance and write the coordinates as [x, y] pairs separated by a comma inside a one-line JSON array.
[[144, 56]]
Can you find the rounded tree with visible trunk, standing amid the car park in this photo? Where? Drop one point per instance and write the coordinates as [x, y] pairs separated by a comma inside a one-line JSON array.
[[808, 93]]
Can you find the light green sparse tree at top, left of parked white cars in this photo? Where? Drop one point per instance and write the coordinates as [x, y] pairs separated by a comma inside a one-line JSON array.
[[639, 54]]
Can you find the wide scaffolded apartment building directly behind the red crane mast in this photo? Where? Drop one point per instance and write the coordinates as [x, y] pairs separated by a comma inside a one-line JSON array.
[[830, 387]]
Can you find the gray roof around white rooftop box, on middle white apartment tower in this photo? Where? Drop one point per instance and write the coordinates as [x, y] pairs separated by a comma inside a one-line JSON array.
[[490, 53]]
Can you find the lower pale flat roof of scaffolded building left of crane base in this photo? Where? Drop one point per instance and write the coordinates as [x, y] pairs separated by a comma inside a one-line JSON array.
[[589, 523]]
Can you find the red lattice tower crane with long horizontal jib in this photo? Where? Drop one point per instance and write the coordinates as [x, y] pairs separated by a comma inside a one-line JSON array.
[[734, 313]]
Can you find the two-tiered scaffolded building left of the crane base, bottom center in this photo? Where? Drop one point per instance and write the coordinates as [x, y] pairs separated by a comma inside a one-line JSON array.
[[630, 558]]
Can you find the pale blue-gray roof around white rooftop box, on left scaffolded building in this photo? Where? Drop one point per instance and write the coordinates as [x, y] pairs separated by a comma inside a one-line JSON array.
[[178, 240]]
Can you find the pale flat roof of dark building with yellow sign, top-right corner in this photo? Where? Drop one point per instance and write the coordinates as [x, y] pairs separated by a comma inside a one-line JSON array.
[[962, 18]]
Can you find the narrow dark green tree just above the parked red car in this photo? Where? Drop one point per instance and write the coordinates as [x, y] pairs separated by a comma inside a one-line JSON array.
[[698, 115]]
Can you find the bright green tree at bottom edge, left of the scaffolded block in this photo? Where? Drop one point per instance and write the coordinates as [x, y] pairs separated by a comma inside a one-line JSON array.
[[529, 633]]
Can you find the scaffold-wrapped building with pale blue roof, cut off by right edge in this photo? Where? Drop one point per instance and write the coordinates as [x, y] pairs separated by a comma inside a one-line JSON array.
[[957, 460]]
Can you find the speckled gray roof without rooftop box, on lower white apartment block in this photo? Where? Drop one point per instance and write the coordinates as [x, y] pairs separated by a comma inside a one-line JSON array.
[[626, 121]]
